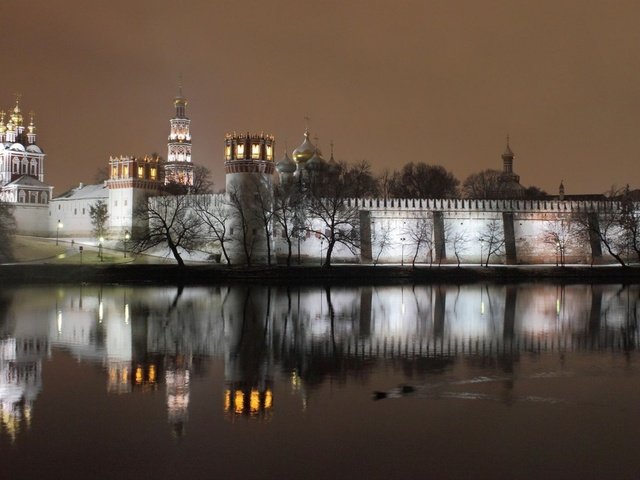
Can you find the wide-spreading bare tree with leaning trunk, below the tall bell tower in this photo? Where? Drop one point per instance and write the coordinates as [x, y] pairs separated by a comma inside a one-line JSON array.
[[172, 222]]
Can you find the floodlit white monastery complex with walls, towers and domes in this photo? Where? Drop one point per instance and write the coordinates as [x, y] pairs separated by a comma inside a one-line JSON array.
[[456, 224]]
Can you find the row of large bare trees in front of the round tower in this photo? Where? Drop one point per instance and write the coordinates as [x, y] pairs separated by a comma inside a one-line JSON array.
[[246, 216]]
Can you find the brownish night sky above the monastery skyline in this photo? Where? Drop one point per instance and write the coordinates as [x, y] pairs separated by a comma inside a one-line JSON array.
[[442, 82]]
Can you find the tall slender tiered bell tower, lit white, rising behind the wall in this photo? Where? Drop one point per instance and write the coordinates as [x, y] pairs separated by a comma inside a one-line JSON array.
[[179, 168]]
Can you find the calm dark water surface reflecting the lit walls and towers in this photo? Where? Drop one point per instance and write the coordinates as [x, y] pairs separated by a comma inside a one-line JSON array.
[[481, 381]]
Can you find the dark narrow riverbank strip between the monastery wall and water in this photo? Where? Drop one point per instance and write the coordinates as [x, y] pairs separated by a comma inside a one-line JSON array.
[[140, 274]]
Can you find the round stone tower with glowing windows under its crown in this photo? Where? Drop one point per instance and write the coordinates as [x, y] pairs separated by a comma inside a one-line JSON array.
[[249, 167]]
